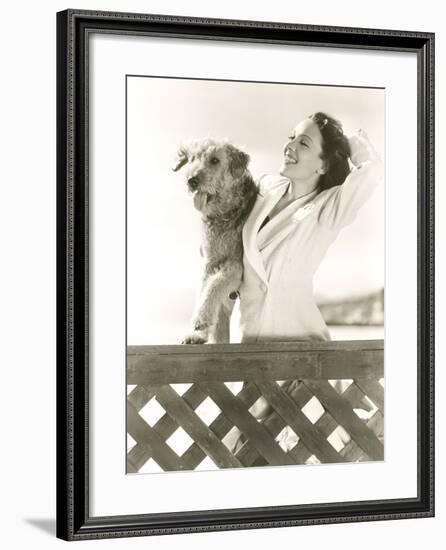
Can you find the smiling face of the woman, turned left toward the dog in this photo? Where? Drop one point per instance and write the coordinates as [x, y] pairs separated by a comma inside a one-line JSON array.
[[302, 159]]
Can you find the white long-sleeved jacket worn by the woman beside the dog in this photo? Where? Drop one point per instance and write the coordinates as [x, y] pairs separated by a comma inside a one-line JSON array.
[[276, 296]]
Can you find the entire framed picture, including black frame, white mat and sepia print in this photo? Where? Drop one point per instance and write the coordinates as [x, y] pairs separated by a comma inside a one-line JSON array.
[[245, 274]]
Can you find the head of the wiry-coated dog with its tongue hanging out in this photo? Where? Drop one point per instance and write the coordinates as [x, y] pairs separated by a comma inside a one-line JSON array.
[[212, 170]]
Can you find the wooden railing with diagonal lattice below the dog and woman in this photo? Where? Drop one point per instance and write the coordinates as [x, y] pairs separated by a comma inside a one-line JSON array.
[[335, 413]]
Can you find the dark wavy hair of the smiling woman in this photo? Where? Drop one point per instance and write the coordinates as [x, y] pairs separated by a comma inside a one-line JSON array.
[[335, 151]]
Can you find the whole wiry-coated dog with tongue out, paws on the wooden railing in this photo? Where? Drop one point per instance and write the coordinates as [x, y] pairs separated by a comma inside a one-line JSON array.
[[224, 193]]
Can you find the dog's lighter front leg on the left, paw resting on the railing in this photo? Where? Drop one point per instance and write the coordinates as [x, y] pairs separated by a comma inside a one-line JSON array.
[[217, 286]]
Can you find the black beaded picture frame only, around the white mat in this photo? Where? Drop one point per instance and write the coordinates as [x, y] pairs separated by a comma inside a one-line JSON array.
[[73, 519]]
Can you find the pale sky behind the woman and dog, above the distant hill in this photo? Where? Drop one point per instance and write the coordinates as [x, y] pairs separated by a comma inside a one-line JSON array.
[[163, 261]]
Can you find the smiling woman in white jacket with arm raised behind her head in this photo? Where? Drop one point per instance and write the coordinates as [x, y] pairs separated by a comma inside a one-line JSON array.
[[295, 219]]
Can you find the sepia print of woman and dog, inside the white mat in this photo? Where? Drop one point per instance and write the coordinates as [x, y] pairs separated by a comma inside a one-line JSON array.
[[255, 226]]
